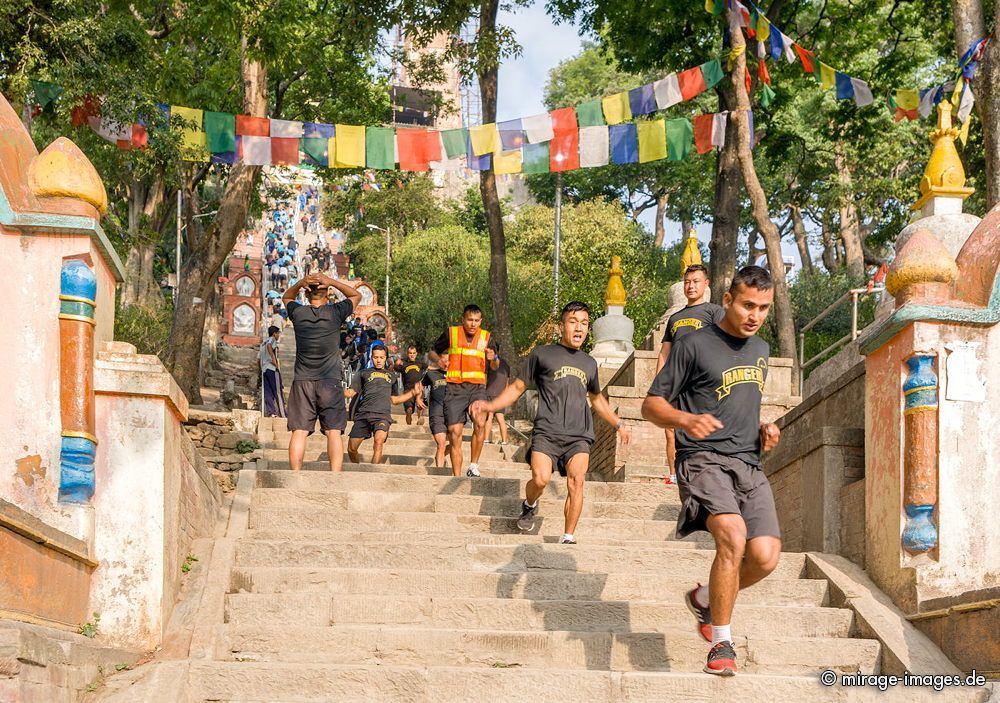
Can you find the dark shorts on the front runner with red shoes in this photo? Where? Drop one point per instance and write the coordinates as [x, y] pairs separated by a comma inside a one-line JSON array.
[[715, 484]]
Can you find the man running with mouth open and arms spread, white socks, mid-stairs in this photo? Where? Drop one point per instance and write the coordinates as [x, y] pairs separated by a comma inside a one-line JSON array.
[[565, 376]]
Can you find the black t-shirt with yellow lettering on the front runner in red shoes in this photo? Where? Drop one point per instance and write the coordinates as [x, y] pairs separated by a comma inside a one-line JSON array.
[[710, 371]]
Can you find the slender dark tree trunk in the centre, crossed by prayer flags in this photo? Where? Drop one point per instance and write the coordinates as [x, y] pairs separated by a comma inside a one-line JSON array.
[[503, 328]]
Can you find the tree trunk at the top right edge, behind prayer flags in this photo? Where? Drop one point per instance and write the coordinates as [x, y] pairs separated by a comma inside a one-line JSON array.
[[970, 26]]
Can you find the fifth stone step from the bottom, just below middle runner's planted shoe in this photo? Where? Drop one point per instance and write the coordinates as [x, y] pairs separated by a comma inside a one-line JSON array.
[[682, 563]]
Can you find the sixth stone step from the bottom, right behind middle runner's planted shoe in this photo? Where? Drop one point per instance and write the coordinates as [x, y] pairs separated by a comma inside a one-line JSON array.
[[331, 522]]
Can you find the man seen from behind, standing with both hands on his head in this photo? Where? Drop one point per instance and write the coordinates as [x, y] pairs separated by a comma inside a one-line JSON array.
[[316, 390]]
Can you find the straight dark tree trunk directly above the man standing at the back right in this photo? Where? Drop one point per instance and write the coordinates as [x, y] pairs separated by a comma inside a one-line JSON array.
[[726, 208]]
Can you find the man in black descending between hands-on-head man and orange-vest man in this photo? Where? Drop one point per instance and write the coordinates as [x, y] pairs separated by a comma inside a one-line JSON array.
[[374, 414]]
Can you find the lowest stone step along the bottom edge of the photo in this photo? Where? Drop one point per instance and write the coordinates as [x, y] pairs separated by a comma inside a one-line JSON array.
[[252, 682]]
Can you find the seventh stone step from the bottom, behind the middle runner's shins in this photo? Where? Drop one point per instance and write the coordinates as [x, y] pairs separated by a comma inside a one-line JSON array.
[[503, 506]]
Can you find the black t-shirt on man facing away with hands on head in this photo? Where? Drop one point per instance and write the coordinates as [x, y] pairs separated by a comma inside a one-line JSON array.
[[317, 339]]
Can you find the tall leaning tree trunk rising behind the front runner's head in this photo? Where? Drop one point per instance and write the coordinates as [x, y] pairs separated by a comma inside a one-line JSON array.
[[758, 202]]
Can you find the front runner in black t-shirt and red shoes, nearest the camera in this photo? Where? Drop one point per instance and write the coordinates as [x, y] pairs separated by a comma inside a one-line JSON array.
[[710, 391]]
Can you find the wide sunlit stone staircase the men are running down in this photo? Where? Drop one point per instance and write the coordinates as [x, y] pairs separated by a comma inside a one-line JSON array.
[[399, 582]]
